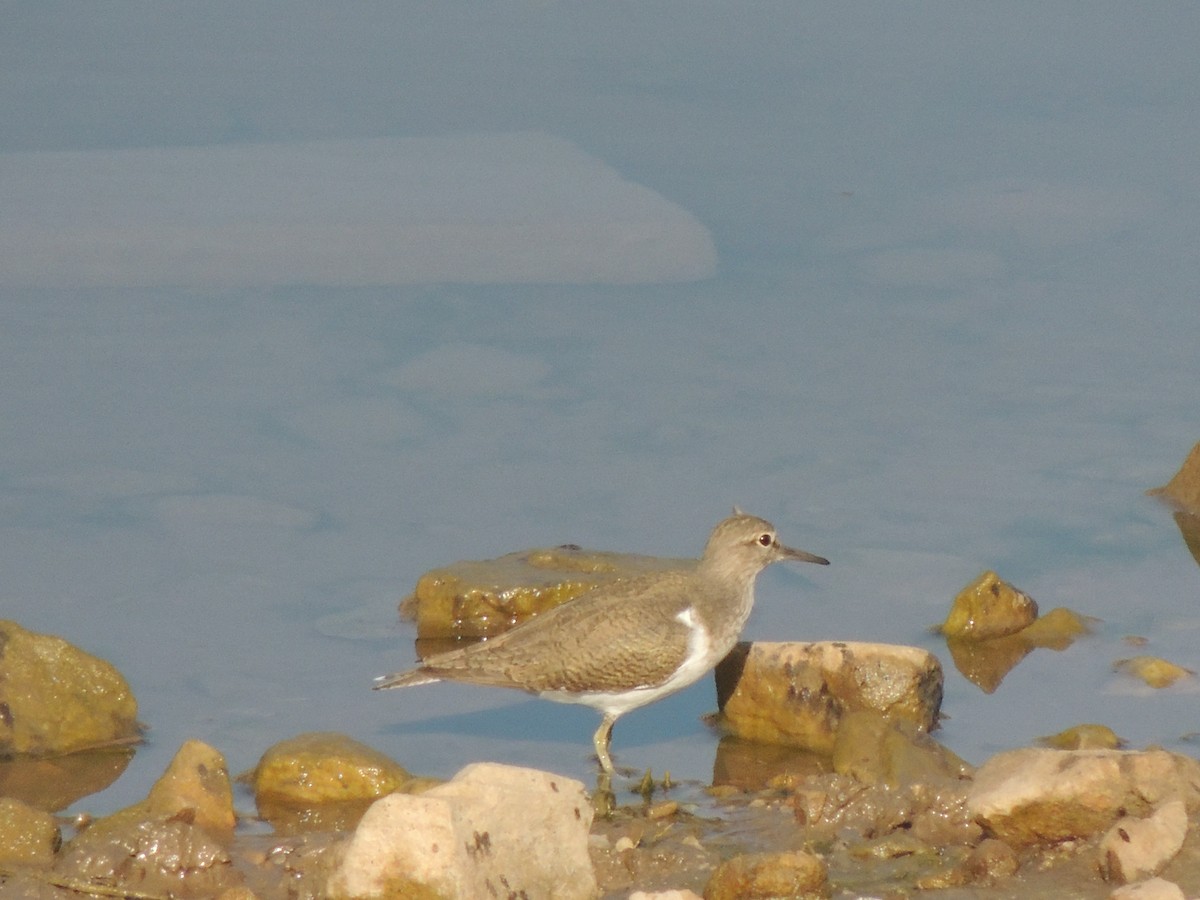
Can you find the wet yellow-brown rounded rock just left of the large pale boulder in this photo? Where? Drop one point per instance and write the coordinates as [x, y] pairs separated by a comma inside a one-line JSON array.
[[323, 782]]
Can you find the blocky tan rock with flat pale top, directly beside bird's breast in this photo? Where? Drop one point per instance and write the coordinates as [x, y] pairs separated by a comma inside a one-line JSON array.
[[797, 694]]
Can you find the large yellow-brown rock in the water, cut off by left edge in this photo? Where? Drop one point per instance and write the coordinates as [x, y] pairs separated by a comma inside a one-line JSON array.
[[56, 699]]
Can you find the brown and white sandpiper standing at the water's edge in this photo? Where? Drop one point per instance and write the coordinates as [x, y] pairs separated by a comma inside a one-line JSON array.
[[625, 645]]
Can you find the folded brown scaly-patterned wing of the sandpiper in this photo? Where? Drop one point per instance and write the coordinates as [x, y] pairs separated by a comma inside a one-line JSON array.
[[614, 639]]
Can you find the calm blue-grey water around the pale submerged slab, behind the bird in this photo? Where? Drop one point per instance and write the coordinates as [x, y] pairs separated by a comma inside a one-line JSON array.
[[953, 327]]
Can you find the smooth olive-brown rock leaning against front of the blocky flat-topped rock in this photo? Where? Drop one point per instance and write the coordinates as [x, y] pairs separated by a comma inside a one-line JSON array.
[[874, 749]]
